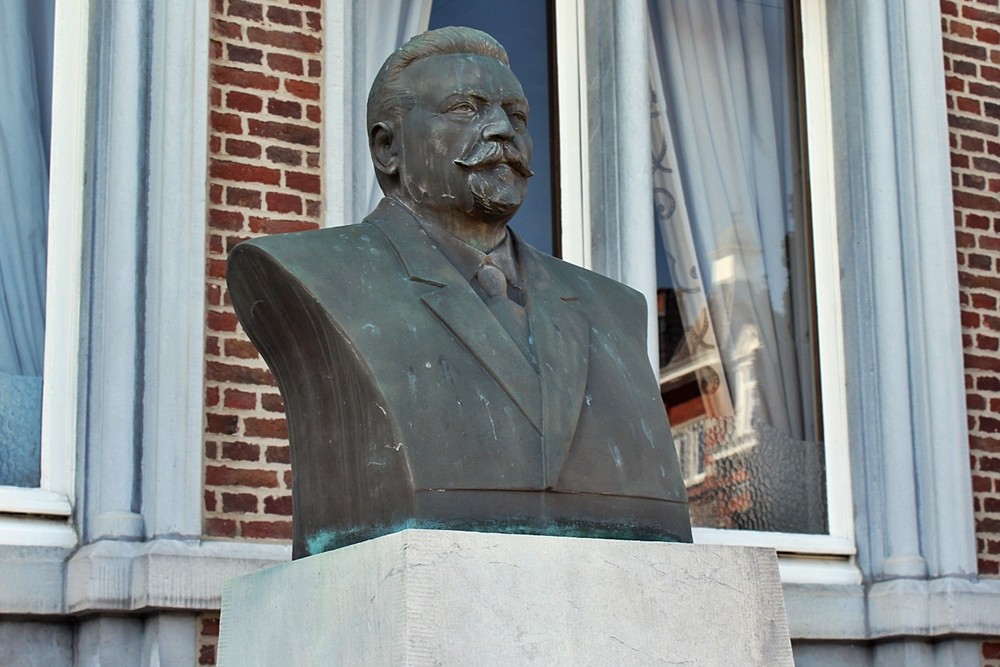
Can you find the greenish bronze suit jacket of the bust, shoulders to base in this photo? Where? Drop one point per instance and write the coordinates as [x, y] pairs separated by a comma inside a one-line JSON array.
[[409, 405]]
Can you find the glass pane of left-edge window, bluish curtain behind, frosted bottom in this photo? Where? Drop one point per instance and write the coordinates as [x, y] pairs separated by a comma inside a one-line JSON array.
[[25, 79]]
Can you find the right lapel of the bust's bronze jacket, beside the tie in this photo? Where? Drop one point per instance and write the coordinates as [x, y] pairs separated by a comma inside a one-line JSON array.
[[561, 333]]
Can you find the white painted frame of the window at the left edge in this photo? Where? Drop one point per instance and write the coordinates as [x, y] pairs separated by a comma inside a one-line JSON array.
[[43, 512]]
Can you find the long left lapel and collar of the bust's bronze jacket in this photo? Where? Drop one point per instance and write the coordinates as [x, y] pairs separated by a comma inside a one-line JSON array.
[[460, 309]]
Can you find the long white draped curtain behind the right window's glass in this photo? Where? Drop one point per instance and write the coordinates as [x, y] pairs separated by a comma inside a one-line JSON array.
[[725, 168]]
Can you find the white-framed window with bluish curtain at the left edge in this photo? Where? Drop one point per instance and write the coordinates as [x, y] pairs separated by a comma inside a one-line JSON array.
[[45, 486]]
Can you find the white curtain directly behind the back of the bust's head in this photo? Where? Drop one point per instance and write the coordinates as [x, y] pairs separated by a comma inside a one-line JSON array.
[[388, 25]]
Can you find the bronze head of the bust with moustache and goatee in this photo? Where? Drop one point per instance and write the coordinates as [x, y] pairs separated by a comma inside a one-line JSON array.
[[447, 129]]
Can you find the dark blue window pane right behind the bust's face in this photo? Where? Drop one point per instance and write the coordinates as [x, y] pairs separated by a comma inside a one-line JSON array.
[[522, 26]]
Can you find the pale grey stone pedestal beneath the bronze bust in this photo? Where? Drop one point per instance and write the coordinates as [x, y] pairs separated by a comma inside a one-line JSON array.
[[424, 597]]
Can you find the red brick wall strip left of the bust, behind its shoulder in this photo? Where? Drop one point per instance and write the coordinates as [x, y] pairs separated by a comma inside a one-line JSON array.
[[264, 177]]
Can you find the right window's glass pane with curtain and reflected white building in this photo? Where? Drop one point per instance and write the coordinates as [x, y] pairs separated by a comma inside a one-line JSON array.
[[737, 339]]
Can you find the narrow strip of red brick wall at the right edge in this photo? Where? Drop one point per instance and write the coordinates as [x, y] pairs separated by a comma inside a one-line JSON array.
[[972, 75]]
